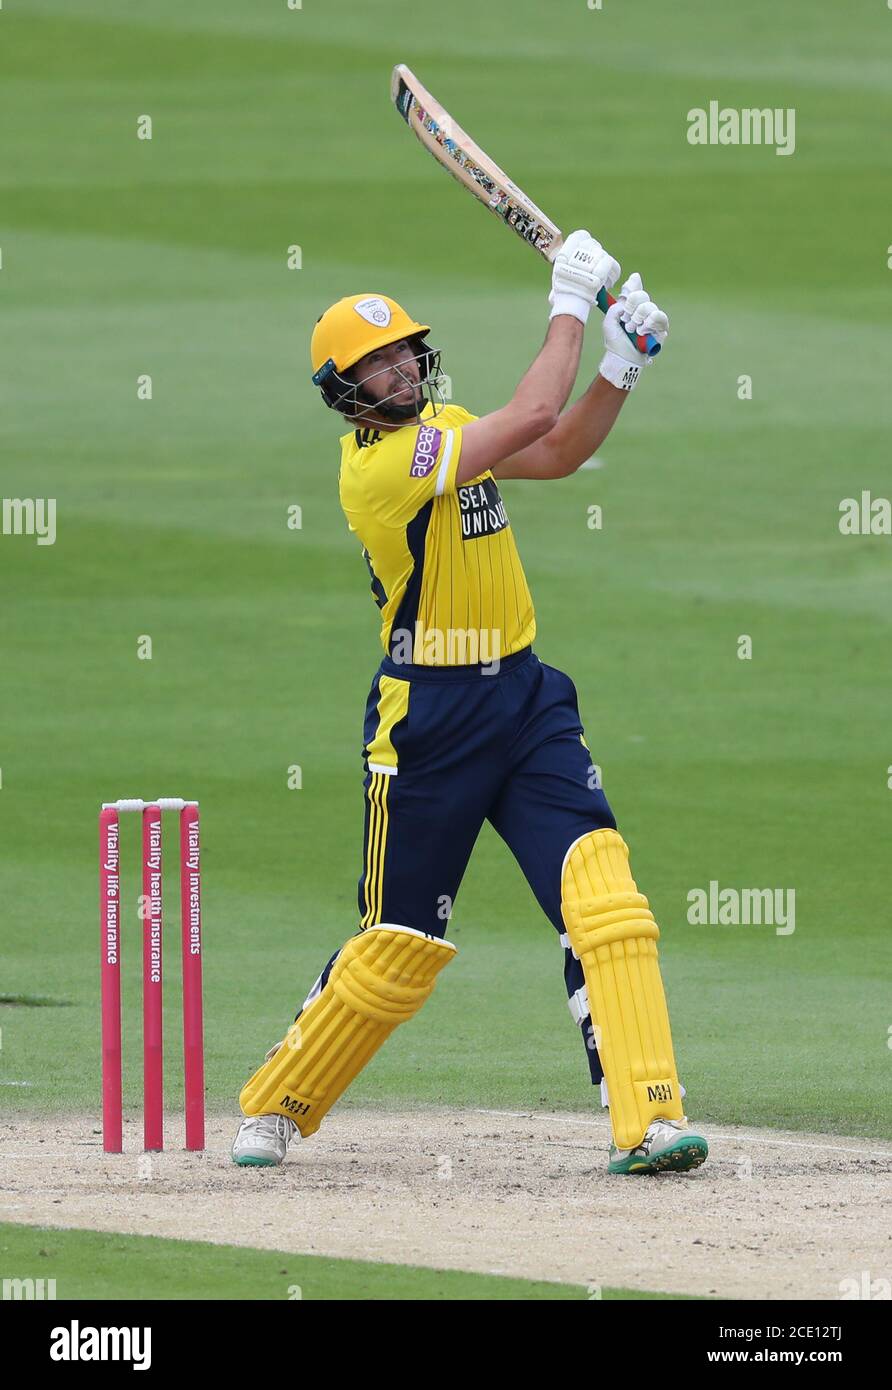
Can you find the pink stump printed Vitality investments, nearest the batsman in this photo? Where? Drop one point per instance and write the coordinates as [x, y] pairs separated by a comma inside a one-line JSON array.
[[191, 911]]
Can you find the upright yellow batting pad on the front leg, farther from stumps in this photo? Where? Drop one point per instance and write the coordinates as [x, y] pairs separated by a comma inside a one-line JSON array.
[[613, 933]]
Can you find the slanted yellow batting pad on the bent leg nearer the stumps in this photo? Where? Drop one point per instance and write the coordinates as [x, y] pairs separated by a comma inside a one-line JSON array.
[[380, 979]]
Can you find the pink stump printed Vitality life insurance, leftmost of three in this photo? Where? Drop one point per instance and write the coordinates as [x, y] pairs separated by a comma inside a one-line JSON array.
[[110, 943]]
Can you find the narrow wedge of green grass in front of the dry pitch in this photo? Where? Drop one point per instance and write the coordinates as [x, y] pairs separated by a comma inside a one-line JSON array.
[[88, 1264]]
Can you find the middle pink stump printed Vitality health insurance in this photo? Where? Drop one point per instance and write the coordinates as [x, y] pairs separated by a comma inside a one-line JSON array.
[[154, 1046]]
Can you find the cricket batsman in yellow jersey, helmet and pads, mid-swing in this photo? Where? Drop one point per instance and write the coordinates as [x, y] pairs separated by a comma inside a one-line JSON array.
[[465, 723]]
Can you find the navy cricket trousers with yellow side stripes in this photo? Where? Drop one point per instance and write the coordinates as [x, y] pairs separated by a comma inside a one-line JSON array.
[[448, 749]]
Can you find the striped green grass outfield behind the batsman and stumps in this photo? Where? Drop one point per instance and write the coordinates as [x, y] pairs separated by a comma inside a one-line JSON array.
[[169, 258]]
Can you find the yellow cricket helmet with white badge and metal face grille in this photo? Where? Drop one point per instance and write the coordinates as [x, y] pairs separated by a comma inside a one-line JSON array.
[[352, 329]]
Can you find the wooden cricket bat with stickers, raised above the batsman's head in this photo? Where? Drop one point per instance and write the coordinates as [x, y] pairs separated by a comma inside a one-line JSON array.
[[455, 149]]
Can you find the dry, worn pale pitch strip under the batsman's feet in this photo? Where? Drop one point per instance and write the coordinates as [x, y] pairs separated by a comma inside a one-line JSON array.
[[772, 1216]]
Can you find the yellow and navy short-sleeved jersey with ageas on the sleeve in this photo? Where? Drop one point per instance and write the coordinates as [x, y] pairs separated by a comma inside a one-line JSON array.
[[445, 571]]
